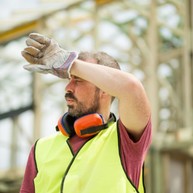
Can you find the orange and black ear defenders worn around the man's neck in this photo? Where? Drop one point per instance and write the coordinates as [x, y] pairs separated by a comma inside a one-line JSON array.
[[85, 126]]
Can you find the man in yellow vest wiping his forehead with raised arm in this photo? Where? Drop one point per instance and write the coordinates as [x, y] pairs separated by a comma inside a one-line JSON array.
[[110, 157]]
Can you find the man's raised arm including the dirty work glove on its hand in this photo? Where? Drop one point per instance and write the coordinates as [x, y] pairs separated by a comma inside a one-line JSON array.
[[134, 108]]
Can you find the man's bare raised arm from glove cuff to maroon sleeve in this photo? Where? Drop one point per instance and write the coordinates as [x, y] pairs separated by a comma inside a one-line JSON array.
[[134, 108]]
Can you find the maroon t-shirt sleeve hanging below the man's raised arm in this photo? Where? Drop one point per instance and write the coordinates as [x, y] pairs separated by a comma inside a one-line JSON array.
[[133, 153]]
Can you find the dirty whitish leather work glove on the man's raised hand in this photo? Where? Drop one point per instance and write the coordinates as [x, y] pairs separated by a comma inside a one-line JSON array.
[[46, 56]]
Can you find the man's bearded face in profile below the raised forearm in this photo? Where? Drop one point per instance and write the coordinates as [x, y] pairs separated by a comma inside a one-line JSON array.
[[82, 97]]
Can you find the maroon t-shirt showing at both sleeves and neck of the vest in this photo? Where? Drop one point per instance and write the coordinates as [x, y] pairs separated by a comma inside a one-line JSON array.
[[132, 156]]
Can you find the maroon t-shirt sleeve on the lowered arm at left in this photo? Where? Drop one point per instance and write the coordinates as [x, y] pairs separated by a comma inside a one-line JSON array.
[[29, 175]]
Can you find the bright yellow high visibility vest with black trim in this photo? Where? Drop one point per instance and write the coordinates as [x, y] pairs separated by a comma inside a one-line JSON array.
[[96, 167]]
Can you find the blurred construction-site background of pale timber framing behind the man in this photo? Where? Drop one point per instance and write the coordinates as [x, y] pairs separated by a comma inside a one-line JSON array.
[[152, 39]]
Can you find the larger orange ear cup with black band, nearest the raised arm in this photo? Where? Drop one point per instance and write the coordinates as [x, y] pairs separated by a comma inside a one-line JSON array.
[[88, 125]]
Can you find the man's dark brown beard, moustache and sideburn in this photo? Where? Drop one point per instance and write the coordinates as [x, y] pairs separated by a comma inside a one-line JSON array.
[[80, 109]]
